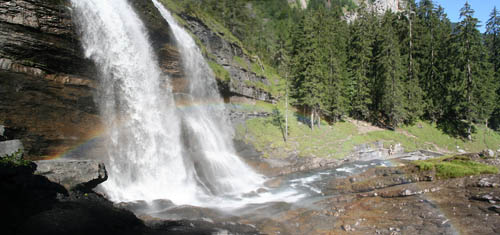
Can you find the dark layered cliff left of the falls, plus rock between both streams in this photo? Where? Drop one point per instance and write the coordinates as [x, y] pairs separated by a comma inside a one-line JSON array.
[[46, 82]]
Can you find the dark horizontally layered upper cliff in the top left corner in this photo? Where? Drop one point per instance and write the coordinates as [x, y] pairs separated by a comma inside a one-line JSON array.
[[39, 34]]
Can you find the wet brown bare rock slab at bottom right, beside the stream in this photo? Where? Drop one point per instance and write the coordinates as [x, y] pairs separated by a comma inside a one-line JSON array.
[[389, 203]]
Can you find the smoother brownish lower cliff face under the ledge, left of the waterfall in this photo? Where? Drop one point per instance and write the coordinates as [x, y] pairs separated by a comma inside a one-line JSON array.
[[48, 116]]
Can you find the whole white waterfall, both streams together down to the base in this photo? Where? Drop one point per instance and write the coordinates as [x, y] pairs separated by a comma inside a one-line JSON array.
[[154, 149]]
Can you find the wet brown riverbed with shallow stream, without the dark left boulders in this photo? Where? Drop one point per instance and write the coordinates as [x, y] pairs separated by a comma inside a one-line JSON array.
[[372, 197]]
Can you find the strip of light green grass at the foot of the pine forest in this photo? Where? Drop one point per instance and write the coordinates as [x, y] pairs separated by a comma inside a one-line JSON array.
[[338, 140]]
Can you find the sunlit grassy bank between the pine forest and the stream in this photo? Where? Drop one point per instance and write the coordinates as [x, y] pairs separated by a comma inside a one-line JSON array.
[[343, 139]]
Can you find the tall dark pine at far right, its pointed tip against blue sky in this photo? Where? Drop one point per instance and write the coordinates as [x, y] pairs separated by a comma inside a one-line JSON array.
[[472, 72]]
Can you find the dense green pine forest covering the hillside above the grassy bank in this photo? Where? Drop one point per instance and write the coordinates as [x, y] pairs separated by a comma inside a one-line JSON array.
[[391, 69]]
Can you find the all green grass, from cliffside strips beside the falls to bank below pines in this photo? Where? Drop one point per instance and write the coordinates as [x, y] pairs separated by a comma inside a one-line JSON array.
[[330, 141]]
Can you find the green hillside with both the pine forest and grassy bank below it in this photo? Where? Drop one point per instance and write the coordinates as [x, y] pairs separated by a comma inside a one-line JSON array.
[[379, 70]]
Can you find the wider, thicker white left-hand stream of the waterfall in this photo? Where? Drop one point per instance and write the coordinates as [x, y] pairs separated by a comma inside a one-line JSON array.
[[143, 134]]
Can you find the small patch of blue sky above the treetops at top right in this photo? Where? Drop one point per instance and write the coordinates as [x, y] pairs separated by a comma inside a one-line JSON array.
[[482, 9]]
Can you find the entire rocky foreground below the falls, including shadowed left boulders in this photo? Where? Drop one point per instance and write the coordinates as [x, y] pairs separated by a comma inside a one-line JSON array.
[[383, 196]]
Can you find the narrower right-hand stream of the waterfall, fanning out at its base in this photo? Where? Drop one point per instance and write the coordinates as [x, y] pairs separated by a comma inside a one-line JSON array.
[[210, 143]]
